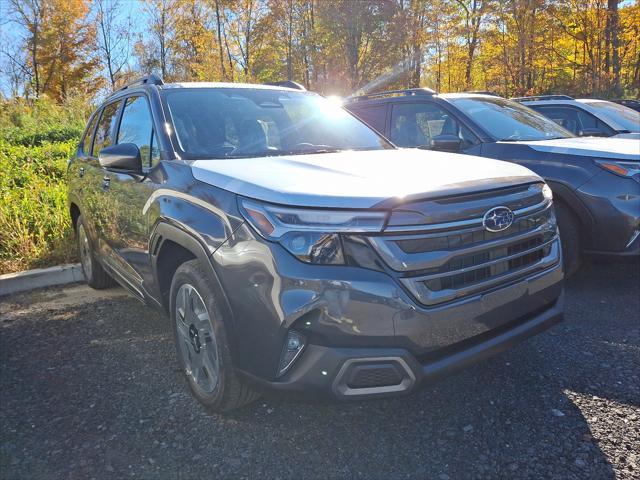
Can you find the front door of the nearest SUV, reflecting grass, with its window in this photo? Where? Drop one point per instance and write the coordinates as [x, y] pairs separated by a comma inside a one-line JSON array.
[[127, 193]]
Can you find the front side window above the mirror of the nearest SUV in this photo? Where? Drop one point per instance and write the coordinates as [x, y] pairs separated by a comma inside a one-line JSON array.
[[136, 127]]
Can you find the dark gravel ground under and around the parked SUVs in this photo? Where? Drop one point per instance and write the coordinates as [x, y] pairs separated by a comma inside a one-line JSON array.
[[89, 389]]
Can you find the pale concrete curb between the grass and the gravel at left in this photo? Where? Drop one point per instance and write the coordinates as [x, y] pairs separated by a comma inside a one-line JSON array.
[[40, 277]]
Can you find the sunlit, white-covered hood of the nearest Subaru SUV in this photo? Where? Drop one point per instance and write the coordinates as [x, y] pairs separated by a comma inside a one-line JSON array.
[[358, 179]]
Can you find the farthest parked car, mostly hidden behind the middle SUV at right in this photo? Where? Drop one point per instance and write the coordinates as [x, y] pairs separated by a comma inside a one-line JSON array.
[[587, 117]]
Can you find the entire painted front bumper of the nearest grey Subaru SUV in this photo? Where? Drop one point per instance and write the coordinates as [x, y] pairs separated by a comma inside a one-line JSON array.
[[365, 316]]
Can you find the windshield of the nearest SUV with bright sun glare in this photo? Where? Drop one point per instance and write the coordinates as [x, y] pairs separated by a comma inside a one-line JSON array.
[[242, 122]]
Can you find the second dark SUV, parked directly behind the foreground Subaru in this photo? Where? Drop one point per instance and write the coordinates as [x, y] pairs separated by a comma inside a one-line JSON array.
[[596, 181]]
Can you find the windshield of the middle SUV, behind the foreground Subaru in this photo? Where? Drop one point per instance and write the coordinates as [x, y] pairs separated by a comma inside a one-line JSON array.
[[507, 120]]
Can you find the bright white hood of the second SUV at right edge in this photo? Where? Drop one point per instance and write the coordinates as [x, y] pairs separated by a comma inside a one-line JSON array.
[[618, 148]]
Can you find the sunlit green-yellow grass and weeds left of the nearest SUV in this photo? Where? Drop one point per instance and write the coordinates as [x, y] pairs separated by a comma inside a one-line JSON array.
[[36, 140]]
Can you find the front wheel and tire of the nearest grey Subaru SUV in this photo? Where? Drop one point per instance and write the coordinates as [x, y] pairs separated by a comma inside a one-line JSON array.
[[202, 342]]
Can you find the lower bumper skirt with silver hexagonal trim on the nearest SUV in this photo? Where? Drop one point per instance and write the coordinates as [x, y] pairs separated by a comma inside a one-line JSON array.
[[339, 372]]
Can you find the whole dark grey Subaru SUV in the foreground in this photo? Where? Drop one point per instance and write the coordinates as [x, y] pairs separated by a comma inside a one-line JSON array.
[[296, 249]]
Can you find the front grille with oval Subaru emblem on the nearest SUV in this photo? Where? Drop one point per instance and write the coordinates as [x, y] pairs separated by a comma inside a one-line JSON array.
[[448, 260]]
